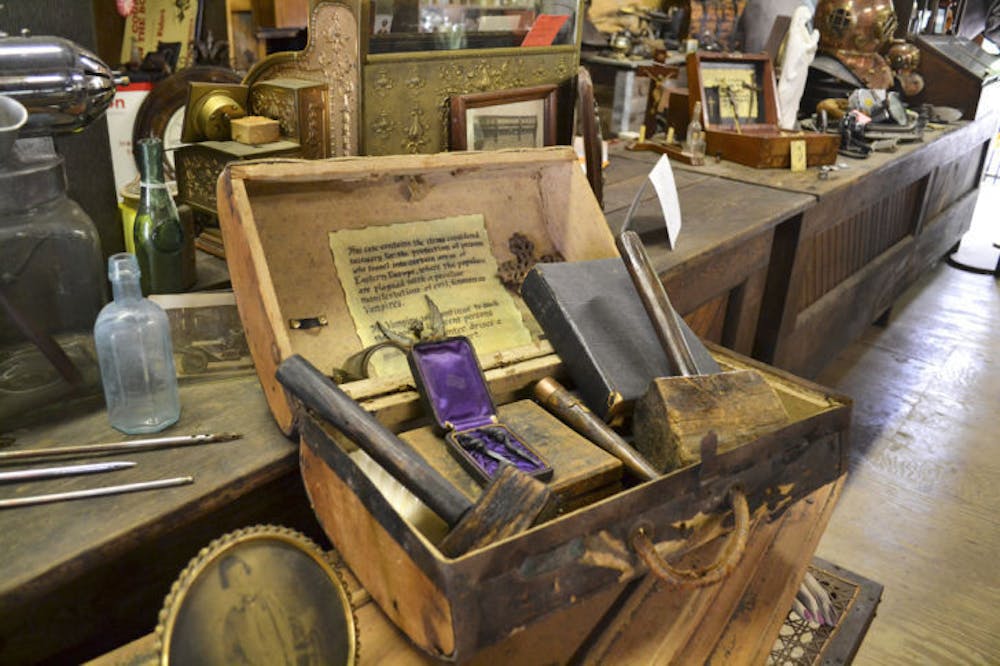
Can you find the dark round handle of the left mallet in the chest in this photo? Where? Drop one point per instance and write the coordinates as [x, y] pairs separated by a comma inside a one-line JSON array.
[[320, 394]]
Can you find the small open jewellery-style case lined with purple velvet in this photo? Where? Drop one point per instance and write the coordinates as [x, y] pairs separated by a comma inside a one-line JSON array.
[[454, 390]]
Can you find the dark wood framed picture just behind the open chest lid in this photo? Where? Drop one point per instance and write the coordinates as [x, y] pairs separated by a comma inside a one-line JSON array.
[[517, 118]]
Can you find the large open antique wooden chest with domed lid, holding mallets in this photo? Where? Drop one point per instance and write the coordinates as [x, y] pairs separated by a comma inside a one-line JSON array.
[[299, 293]]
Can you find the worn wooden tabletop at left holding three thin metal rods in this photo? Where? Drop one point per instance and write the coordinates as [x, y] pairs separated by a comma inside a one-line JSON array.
[[80, 577]]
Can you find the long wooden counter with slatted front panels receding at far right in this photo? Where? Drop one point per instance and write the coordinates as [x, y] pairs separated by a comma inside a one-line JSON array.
[[874, 228]]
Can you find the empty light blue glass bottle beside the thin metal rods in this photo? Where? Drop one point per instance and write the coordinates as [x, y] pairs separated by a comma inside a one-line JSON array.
[[132, 337]]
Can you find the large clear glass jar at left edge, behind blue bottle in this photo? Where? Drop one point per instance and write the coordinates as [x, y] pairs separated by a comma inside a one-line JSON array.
[[51, 285]]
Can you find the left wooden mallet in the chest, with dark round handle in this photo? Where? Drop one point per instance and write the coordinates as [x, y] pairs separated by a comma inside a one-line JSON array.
[[511, 503]]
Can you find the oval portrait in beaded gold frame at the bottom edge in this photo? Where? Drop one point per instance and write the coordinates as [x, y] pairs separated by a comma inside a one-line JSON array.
[[264, 594]]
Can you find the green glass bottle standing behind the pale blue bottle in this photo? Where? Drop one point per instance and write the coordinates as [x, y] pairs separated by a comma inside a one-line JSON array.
[[158, 234]]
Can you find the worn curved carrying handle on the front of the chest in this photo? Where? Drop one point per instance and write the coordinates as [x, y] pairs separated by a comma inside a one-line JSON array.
[[700, 577]]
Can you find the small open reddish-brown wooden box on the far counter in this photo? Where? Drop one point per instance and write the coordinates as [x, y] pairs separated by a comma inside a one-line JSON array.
[[739, 107]]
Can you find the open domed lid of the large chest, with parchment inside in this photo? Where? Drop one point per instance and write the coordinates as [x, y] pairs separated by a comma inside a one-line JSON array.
[[325, 255]]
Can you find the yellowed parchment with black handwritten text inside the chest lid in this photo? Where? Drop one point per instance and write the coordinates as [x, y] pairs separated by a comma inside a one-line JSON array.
[[386, 271]]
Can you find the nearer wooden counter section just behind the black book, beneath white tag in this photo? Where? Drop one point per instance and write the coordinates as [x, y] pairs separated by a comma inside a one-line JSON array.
[[716, 275]]
